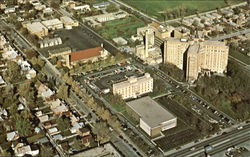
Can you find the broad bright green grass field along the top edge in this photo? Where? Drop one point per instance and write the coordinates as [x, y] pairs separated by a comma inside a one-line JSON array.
[[155, 8]]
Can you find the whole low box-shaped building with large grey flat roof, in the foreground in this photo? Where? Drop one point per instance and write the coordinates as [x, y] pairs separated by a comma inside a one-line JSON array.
[[153, 118]]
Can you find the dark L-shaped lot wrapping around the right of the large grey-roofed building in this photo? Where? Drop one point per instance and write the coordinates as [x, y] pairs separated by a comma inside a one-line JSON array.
[[185, 132]]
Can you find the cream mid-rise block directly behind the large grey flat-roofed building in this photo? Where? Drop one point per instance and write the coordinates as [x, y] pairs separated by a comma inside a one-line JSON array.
[[134, 86]]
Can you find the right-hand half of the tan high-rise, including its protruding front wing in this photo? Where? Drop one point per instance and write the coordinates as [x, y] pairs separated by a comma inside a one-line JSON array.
[[207, 56]]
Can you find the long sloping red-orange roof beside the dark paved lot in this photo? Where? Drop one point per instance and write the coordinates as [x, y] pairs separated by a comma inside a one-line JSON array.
[[84, 54]]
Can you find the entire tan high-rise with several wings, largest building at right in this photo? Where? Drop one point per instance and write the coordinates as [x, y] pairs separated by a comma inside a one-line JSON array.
[[196, 56]]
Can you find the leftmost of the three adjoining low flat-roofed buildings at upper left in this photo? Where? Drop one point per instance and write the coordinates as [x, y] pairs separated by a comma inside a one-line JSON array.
[[37, 29]]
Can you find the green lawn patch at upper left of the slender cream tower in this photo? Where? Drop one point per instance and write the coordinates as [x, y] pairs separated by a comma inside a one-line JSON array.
[[122, 27]]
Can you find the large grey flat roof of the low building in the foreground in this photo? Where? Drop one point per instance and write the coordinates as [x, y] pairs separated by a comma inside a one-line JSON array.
[[150, 111]]
